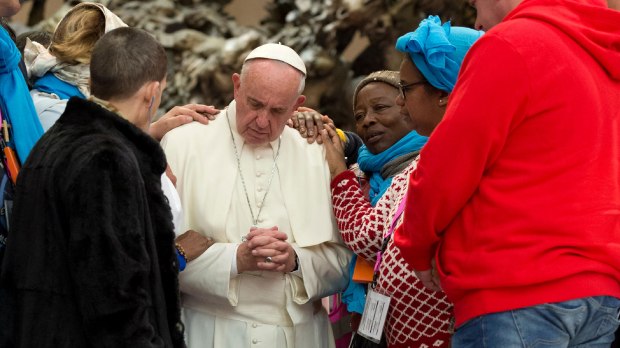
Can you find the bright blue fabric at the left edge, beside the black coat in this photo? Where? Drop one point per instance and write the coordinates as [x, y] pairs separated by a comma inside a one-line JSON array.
[[15, 101]]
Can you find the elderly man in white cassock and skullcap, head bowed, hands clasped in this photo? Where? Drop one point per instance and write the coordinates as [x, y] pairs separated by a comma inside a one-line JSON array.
[[262, 193]]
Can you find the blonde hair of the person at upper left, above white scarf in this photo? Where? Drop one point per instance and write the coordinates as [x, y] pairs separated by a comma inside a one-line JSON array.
[[77, 33]]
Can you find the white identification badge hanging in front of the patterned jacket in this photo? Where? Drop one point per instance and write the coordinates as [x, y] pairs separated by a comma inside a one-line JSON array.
[[373, 318]]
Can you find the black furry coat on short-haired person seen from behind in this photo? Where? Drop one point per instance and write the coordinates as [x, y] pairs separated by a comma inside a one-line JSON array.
[[90, 257]]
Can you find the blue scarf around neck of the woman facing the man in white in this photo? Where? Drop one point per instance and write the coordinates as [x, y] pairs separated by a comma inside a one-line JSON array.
[[373, 164]]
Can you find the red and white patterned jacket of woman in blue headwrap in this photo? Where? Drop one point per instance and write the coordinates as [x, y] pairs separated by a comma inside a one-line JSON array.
[[418, 317]]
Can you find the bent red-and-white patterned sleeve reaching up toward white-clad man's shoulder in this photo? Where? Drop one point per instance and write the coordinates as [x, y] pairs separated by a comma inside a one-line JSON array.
[[362, 225]]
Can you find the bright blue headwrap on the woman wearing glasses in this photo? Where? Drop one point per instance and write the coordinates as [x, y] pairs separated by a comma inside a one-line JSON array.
[[438, 50]]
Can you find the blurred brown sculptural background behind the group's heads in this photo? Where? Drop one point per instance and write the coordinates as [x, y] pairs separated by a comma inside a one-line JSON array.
[[340, 41]]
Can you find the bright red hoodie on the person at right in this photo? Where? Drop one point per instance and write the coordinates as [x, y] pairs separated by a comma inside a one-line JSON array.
[[517, 192]]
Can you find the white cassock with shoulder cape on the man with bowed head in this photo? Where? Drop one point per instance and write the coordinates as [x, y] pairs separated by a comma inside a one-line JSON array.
[[255, 309]]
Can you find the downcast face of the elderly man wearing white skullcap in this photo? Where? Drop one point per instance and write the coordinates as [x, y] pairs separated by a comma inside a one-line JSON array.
[[266, 97]]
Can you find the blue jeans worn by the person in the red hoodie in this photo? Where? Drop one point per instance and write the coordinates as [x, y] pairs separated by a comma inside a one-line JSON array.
[[585, 322]]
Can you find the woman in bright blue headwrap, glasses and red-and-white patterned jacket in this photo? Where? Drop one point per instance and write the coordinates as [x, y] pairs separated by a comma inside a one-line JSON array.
[[416, 316]]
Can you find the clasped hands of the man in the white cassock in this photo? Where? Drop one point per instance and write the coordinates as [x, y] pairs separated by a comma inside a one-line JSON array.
[[265, 249]]
